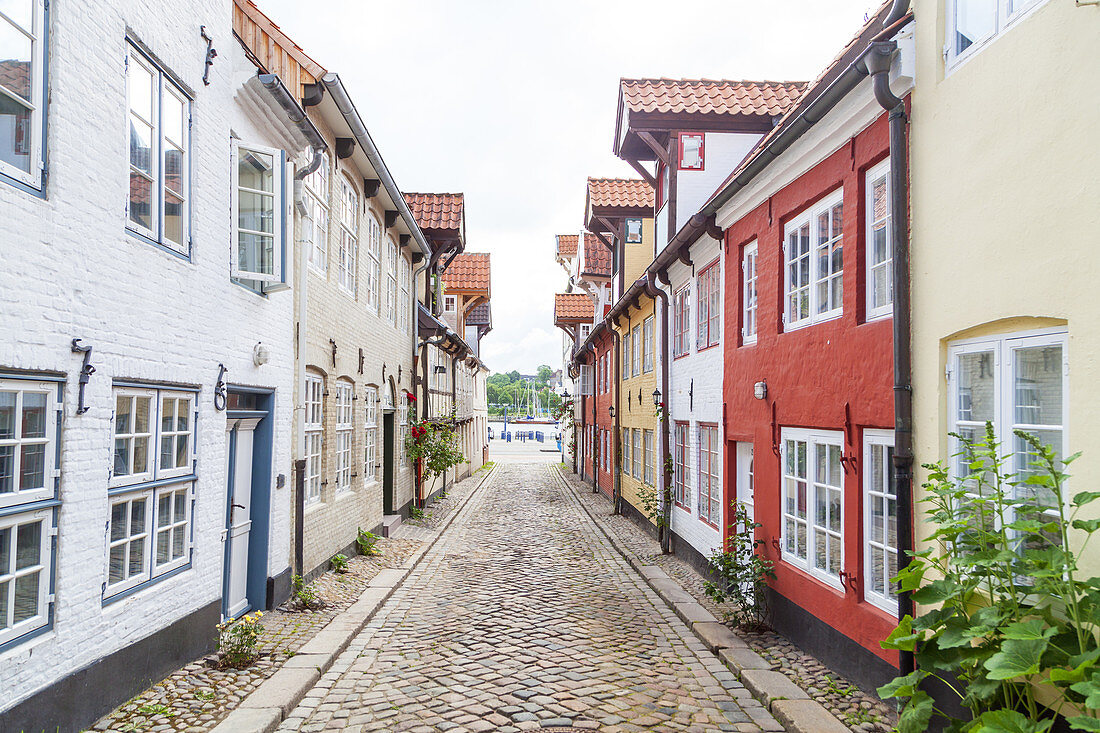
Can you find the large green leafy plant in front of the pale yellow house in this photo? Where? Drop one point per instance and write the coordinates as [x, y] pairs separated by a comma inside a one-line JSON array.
[[1010, 626]]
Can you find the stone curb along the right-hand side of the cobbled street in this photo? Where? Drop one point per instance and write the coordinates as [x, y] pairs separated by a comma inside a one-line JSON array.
[[791, 706]]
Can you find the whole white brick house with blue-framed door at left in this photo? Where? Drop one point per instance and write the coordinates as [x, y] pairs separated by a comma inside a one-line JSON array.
[[131, 539]]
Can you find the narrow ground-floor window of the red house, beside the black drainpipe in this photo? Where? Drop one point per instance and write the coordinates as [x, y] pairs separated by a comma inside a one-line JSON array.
[[881, 520]]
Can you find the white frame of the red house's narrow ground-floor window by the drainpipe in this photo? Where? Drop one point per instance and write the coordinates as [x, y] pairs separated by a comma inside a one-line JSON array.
[[878, 487]]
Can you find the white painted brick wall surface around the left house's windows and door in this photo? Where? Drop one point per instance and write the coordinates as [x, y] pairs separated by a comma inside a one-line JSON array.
[[70, 270]]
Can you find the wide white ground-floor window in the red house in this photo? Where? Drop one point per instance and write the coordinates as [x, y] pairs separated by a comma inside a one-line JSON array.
[[813, 497]]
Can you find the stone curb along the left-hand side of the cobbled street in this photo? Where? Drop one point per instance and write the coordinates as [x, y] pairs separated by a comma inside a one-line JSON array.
[[270, 704]]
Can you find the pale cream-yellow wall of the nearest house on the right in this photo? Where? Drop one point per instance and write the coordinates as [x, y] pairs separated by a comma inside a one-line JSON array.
[[1006, 205]]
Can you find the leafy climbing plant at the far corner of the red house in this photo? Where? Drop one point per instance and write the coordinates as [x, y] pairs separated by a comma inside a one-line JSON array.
[[742, 575]]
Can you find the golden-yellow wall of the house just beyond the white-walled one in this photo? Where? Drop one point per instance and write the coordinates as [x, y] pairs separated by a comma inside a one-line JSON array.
[[633, 415]]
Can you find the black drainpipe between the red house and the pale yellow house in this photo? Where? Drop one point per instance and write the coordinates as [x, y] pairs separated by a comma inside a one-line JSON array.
[[879, 59]]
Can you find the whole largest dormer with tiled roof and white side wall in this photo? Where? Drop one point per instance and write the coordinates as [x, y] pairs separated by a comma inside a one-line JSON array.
[[685, 137]]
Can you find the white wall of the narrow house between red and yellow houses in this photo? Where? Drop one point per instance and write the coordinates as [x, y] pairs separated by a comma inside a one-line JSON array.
[[707, 370]]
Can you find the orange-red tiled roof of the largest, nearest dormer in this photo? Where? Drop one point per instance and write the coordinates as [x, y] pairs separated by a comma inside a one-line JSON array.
[[710, 96]]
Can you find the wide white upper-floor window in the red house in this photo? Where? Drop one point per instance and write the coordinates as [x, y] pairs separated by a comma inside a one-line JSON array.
[[815, 257]]
